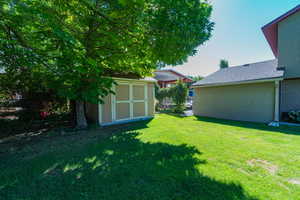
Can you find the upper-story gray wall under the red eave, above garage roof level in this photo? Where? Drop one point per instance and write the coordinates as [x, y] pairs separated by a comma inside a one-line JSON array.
[[289, 45]]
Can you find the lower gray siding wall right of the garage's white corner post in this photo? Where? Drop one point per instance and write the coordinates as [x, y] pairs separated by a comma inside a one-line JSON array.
[[290, 95]]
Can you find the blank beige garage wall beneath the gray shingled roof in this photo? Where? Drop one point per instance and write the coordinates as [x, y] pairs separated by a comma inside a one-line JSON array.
[[246, 102]]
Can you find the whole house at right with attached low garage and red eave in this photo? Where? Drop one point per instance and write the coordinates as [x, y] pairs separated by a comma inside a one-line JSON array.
[[262, 91]]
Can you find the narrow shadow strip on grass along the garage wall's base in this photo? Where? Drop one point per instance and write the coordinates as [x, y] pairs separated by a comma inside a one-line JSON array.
[[259, 126]]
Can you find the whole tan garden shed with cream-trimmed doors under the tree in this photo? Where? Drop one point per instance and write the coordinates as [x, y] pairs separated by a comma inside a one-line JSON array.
[[133, 100]]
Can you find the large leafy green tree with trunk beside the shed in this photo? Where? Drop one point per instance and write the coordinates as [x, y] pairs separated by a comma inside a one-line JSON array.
[[78, 45]]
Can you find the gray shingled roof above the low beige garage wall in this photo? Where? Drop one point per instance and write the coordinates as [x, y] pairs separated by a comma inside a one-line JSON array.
[[245, 73]]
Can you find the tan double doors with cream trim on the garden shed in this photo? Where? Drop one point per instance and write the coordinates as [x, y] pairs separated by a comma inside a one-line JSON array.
[[130, 101]]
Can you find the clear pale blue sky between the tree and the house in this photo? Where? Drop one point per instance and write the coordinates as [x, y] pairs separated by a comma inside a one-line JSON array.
[[237, 36]]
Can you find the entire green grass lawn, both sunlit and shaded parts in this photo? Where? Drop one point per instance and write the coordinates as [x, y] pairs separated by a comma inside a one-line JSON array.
[[167, 158]]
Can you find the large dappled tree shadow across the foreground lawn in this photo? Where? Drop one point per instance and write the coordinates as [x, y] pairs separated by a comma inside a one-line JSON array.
[[120, 167]]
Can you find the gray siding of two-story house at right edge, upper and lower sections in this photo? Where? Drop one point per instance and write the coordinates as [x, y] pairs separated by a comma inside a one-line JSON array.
[[289, 57]]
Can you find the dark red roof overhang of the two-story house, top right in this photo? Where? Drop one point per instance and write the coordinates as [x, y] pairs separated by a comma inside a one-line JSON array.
[[271, 30]]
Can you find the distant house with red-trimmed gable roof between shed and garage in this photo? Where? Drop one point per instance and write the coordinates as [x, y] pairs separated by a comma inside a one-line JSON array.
[[169, 77]]
